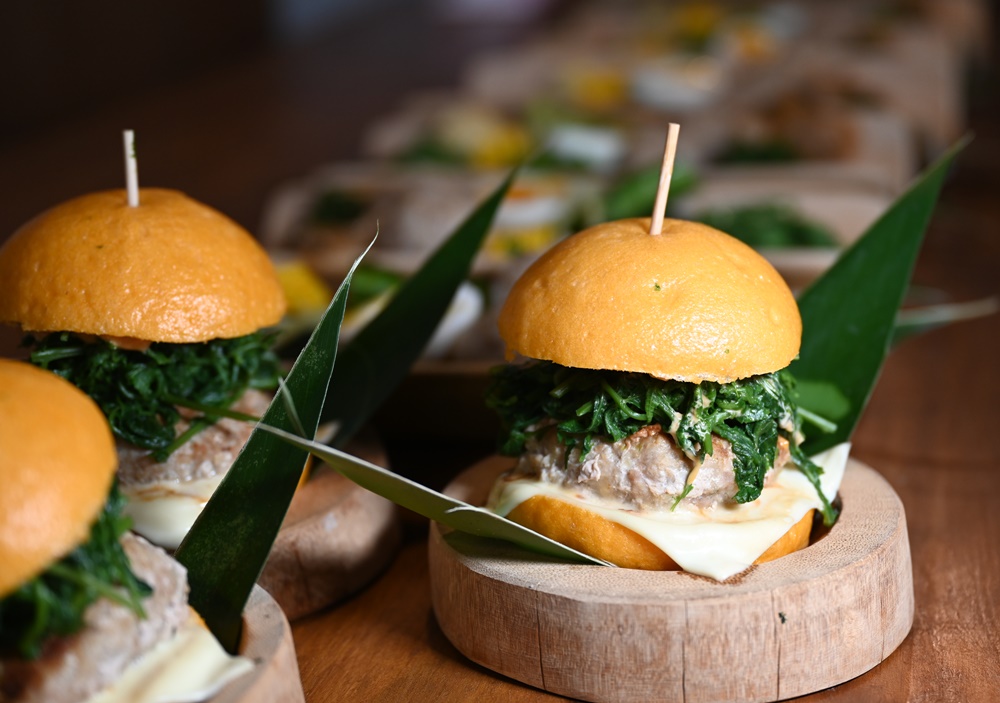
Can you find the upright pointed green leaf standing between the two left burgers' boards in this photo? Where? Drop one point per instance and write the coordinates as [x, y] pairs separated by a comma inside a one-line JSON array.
[[229, 543]]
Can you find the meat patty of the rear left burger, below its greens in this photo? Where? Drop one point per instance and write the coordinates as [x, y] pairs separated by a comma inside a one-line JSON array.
[[210, 452]]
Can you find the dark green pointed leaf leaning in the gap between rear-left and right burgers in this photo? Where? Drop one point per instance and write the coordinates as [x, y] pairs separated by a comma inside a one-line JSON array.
[[378, 358]]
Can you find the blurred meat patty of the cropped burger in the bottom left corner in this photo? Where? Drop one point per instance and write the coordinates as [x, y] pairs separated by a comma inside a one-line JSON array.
[[71, 669]]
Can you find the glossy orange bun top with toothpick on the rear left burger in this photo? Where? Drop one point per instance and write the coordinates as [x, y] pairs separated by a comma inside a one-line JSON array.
[[169, 270]]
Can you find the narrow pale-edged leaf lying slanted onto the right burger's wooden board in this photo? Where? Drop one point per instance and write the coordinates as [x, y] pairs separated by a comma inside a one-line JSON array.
[[431, 504]]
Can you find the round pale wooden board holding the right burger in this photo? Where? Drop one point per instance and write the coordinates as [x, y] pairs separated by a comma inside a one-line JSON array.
[[799, 624]]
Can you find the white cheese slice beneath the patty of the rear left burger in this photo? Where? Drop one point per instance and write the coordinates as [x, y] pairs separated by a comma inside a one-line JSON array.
[[164, 512]]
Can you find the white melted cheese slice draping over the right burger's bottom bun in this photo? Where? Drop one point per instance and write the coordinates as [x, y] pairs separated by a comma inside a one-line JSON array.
[[717, 542]]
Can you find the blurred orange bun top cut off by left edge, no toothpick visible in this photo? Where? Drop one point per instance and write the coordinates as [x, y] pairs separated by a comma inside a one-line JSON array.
[[57, 461]]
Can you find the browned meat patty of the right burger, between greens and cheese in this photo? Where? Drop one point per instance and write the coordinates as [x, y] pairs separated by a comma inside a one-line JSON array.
[[645, 471]]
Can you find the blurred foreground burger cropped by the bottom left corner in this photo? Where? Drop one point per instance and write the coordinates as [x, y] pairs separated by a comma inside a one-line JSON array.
[[88, 611]]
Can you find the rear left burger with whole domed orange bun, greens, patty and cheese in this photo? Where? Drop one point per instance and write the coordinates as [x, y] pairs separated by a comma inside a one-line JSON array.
[[155, 312]]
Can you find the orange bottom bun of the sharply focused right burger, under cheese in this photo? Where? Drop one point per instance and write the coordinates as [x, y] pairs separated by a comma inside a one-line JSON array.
[[592, 534]]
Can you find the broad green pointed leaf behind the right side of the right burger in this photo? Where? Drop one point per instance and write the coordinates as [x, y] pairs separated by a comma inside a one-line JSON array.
[[848, 315]]
